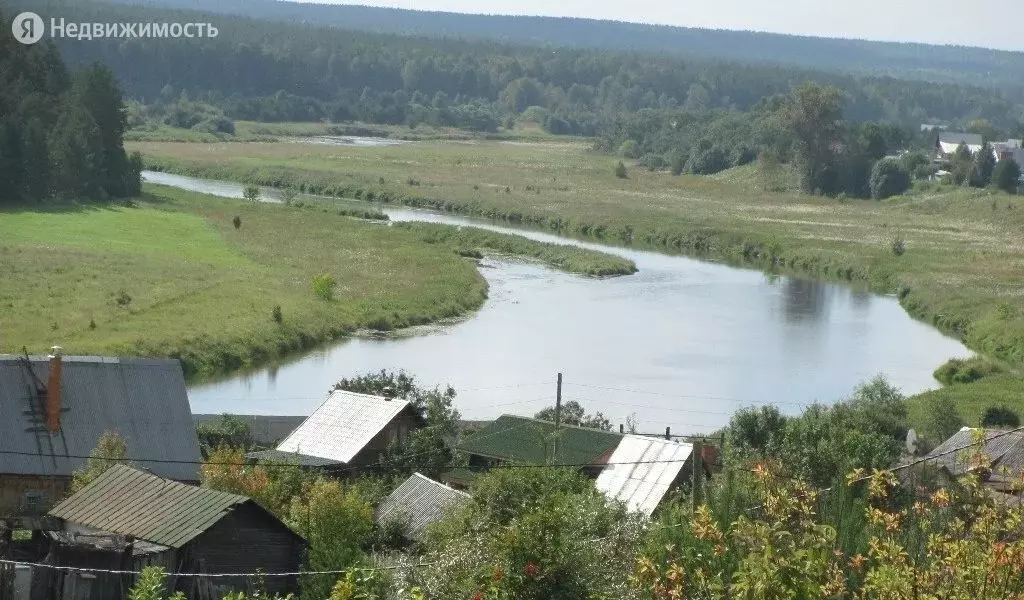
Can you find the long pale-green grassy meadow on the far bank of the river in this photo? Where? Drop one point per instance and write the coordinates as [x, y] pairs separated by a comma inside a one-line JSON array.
[[964, 253]]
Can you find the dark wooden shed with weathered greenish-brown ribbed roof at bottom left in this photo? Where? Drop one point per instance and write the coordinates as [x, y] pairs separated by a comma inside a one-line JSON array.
[[185, 529]]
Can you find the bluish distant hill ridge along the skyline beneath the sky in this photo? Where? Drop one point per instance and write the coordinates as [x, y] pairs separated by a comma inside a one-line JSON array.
[[905, 61]]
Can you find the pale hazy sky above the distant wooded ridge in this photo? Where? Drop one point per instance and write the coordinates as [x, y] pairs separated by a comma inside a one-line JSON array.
[[994, 24]]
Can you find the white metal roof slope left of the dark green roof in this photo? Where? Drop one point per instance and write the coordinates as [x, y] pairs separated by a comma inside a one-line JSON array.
[[340, 427]]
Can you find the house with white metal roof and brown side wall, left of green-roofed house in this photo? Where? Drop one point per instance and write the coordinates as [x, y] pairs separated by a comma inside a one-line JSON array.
[[348, 434]]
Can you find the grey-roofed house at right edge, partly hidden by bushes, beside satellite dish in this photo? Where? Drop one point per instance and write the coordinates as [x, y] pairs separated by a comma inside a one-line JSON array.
[[1003, 450]]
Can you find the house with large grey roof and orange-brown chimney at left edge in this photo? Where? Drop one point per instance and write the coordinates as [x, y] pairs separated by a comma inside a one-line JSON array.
[[55, 409]]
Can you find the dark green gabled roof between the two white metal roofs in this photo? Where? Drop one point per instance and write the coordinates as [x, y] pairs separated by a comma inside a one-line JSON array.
[[529, 441]]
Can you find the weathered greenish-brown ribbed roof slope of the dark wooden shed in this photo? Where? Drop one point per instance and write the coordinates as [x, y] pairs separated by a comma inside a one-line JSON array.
[[131, 502]]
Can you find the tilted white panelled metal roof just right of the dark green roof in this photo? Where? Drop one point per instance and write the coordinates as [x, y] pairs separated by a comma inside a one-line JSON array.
[[642, 487]]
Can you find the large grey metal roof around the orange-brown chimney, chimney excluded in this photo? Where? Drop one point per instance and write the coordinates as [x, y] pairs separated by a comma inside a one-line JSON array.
[[145, 401]]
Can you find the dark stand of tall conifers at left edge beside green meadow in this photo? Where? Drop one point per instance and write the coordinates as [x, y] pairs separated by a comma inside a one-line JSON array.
[[61, 135]]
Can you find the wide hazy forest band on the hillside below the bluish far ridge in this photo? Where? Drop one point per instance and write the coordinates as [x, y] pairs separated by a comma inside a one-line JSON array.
[[267, 71]]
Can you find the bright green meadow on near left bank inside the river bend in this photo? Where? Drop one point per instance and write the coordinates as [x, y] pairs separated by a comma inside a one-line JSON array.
[[173, 277]]
